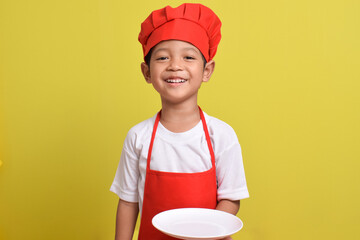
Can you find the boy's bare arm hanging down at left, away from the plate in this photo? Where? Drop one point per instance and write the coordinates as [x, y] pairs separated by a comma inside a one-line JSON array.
[[126, 217]]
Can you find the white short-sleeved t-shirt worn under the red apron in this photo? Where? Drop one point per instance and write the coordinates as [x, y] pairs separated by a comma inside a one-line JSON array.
[[180, 152]]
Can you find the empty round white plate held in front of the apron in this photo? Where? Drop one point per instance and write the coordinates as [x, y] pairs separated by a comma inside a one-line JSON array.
[[197, 223]]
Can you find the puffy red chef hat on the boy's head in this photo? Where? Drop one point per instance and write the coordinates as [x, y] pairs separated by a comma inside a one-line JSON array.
[[193, 23]]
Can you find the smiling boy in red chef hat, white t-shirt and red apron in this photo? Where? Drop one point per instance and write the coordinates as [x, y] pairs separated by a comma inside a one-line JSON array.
[[181, 157]]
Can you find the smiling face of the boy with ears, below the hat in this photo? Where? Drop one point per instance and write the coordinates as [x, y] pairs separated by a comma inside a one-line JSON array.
[[177, 70]]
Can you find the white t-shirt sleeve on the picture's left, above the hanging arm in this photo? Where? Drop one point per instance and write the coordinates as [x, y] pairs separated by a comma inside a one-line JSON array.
[[126, 178]]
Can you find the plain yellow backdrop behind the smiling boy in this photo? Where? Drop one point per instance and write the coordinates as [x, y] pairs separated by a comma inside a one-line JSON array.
[[287, 80]]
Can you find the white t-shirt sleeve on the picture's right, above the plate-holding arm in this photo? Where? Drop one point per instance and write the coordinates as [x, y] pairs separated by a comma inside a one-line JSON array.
[[230, 173]]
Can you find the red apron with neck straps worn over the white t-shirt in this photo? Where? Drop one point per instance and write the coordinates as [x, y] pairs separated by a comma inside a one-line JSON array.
[[168, 190]]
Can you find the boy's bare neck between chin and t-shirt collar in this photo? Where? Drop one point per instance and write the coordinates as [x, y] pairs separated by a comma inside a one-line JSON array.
[[179, 117]]
